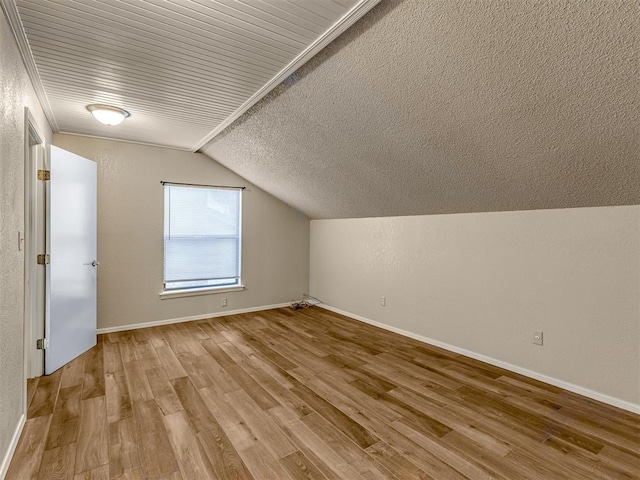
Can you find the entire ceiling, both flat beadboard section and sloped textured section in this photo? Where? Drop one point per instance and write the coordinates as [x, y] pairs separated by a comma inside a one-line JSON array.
[[421, 107]]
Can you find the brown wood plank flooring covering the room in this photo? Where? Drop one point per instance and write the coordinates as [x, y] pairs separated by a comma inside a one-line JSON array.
[[308, 394]]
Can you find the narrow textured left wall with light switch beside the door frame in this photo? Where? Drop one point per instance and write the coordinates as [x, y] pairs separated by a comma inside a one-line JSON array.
[[15, 94]]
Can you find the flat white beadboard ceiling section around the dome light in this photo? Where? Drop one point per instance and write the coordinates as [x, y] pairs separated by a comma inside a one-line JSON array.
[[184, 69]]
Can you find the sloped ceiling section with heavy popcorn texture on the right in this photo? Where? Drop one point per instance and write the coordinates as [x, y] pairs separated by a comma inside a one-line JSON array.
[[455, 106]]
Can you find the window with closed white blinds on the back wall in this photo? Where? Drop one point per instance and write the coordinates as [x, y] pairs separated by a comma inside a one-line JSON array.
[[201, 237]]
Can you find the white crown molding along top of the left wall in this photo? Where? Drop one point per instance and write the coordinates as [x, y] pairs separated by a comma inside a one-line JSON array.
[[13, 17]]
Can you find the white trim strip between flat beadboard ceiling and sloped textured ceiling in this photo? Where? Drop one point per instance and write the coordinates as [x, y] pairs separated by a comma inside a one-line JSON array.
[[348, 19]]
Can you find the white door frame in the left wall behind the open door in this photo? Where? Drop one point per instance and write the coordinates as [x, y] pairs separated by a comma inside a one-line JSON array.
[[33, 318]]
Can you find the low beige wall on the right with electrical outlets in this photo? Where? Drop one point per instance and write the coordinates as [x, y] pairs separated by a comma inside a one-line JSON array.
[[484, 282]]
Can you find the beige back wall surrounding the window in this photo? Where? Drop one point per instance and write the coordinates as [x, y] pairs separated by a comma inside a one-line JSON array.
[[275, 242]]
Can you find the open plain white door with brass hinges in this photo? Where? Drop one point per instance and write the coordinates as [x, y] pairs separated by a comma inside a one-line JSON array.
[[72, 273]]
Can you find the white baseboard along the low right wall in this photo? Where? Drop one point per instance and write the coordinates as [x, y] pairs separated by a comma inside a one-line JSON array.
[[601, 397]]
